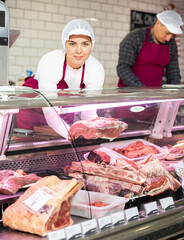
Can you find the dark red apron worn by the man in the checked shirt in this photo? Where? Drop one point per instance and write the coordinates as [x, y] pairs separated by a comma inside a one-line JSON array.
[[150, 63]]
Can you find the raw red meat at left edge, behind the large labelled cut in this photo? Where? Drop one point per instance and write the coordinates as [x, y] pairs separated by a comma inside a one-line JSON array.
[[11, 181]]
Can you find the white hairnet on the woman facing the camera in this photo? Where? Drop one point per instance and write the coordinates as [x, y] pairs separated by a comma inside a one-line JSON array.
[[77, 27]]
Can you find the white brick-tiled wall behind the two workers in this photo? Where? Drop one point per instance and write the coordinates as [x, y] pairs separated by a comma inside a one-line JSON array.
[[41, 23]]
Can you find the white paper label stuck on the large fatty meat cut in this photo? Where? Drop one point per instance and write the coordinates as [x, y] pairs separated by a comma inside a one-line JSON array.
[[37, 200]]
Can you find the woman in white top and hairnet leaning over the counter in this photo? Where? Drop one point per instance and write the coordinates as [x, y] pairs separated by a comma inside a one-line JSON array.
[[73, 67]]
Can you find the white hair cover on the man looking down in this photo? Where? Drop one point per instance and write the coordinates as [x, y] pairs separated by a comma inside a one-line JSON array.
[[171, 20]]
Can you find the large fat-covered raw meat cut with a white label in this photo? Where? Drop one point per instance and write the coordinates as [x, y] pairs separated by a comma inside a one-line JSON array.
[[44, 207]]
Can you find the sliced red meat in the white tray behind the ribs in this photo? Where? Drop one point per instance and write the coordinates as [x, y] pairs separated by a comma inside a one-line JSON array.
[[137, 149]]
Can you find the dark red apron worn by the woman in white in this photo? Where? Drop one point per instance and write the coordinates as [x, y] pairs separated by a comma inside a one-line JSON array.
[[28, 118]]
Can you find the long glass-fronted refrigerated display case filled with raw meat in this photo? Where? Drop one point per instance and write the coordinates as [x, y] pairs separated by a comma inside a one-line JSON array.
[[137, 166]]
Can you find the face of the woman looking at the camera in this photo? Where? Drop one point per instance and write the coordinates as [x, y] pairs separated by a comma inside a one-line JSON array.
[[78, 49]]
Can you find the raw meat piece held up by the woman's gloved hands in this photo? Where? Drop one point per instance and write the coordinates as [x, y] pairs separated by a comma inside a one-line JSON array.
[[100, 127]]
